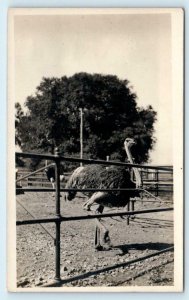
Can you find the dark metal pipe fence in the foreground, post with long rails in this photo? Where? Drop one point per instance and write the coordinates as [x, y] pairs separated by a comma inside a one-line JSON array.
[[58, 218]]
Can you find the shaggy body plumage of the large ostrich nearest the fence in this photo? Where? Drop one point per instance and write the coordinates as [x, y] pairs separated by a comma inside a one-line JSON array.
[[97, 176]]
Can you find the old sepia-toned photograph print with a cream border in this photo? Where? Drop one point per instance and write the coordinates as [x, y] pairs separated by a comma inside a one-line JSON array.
[[95, 147]]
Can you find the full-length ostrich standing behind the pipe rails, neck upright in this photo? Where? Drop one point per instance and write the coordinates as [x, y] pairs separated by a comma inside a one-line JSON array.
[[97, 176]]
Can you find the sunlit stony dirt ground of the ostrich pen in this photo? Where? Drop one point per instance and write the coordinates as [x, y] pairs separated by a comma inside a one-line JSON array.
[[144, 235]]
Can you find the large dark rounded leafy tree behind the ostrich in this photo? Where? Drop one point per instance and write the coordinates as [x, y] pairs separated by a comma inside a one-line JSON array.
[[110, 115]]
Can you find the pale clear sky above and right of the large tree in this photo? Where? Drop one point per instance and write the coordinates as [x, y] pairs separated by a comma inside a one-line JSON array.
[[136, 47]]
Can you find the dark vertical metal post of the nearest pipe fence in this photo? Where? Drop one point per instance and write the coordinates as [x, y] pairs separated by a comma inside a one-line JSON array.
[[58, 223]]
